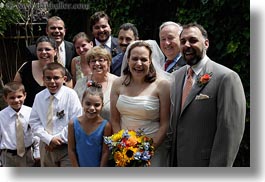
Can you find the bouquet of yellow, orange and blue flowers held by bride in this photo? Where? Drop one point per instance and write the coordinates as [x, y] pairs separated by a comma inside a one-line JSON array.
[[130, 148]]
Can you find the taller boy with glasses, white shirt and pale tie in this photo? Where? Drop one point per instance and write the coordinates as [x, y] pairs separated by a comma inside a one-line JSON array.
[[51, 111]]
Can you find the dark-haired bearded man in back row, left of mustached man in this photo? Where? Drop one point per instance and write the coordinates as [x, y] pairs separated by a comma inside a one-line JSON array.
[[100, 27]]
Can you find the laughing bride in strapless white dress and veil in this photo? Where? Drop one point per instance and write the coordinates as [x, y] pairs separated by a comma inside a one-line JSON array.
[[140, 97]]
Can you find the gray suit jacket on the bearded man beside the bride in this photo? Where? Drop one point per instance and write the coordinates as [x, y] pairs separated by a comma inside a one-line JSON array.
[[207, 132]]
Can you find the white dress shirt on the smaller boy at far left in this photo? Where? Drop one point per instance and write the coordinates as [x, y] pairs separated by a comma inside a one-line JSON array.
[[8, 129]]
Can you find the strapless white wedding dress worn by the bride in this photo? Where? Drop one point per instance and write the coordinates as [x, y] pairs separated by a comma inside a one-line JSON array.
[[143, 112]]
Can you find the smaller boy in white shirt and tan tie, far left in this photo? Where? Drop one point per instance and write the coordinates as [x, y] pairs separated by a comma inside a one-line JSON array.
[[14, 123]]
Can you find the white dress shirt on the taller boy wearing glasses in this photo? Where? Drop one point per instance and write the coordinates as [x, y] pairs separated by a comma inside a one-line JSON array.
[[65, 102]]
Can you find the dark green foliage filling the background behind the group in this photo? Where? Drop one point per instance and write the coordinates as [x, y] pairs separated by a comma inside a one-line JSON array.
[[226, 21]]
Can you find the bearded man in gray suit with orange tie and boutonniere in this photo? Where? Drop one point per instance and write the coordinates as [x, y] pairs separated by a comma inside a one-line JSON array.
[[207, 124]]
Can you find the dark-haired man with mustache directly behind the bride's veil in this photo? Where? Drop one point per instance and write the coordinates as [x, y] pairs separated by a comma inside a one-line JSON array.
[[127, 34]]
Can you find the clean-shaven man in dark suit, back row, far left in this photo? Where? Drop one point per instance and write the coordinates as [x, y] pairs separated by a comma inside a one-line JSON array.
[[66, 52]]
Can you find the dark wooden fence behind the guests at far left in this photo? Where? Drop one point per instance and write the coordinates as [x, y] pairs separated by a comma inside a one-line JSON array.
[[13, 45]]
